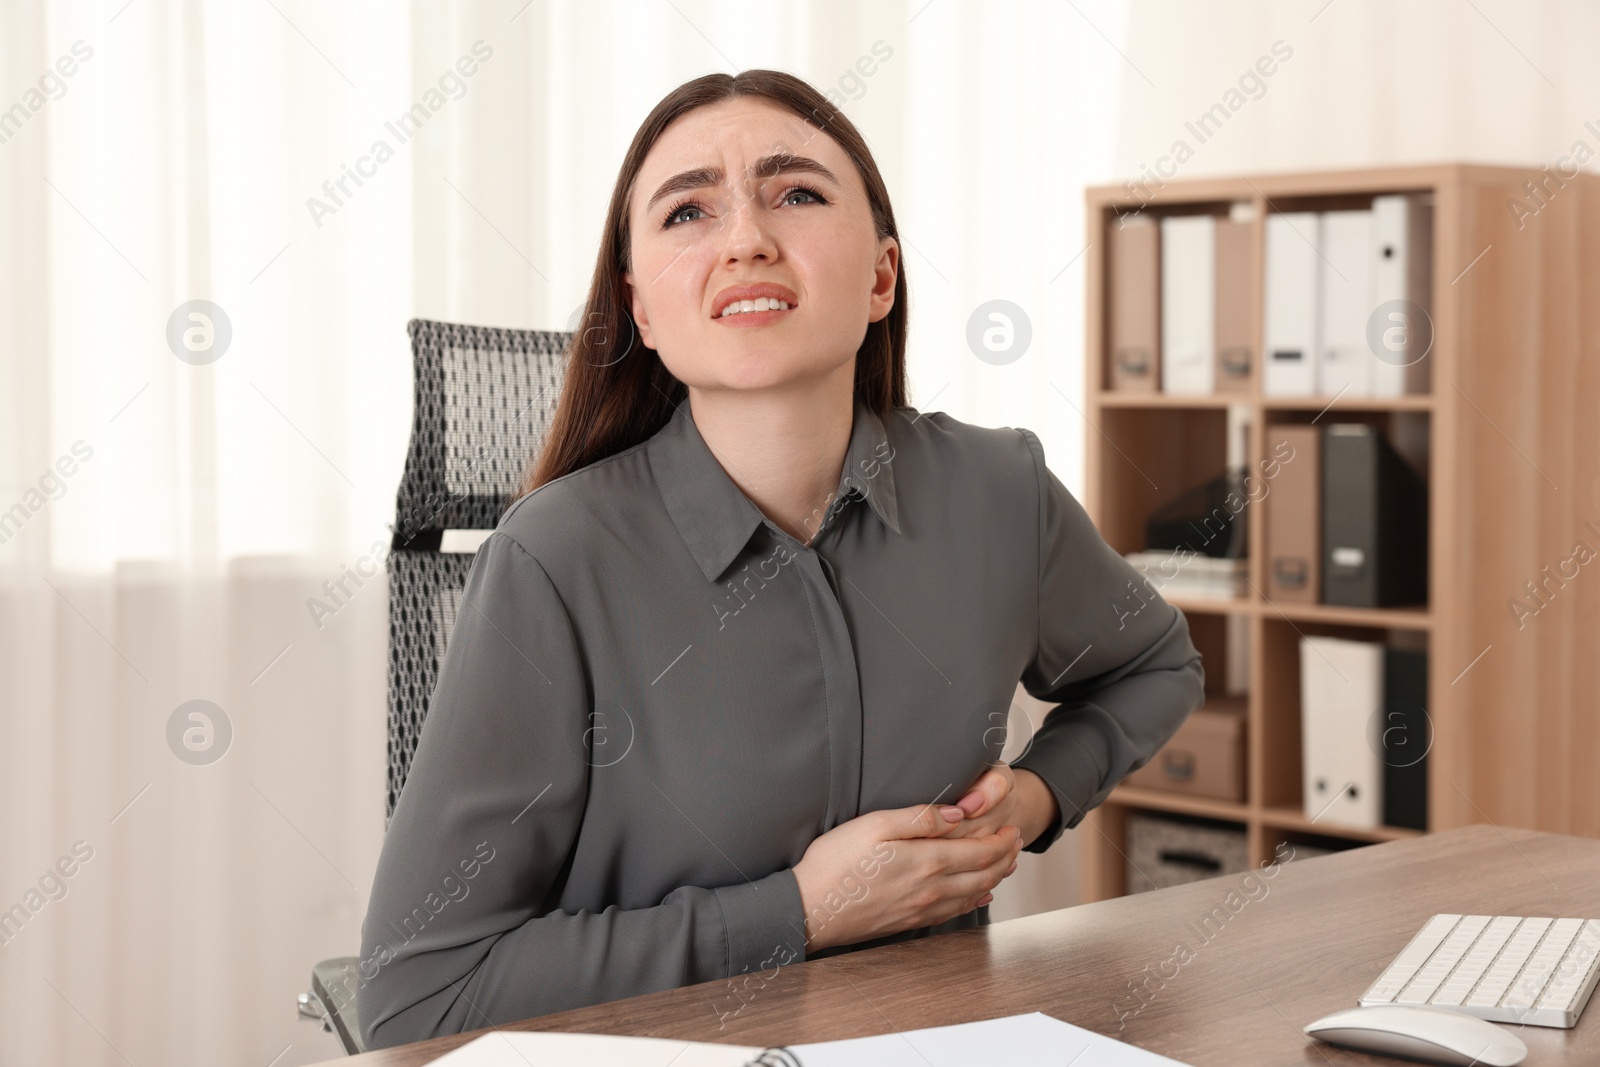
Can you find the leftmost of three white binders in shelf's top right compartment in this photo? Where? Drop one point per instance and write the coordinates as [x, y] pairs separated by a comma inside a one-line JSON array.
[[1289, 366]]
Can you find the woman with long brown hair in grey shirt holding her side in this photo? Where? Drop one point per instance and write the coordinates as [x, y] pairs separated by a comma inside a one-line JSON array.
[[754, 625]]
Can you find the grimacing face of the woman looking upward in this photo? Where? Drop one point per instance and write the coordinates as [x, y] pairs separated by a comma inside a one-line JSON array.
[[745, 193]]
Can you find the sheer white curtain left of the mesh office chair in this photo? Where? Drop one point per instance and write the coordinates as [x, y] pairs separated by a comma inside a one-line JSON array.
[[196, 508]]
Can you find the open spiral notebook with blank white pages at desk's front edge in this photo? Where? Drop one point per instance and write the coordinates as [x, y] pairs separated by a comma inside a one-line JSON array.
[[1025, 1039]]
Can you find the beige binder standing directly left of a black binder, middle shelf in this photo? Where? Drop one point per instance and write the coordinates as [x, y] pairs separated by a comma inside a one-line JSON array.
[[1295, 514]]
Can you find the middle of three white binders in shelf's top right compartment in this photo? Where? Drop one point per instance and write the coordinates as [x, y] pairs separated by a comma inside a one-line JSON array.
[[1346, 364]]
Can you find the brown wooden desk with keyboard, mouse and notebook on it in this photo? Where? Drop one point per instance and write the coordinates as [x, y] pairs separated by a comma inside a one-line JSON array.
[[1286, 951]]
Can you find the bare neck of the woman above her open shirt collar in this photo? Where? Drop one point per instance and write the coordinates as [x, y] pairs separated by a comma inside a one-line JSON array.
[[785, 449]]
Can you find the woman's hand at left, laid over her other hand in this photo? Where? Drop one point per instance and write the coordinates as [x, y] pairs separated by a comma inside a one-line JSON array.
[[890, 871]]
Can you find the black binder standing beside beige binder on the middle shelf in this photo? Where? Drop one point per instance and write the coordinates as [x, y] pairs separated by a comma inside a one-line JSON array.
[[1374, 522]]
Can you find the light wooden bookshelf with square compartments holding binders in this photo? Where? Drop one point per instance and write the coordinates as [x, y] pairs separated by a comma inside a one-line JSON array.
[[1511, 447]]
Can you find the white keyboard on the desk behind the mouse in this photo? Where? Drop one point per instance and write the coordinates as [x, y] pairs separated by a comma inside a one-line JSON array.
[[1503, 969]]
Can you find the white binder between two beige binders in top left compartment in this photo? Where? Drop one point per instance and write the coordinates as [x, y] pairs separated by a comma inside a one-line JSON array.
[[1190, 305]]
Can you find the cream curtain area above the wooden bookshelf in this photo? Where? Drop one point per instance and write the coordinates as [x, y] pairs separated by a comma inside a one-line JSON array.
[[1366, 84]]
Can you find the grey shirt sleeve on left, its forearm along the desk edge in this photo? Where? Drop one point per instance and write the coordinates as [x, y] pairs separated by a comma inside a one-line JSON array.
[[463, 929]]
